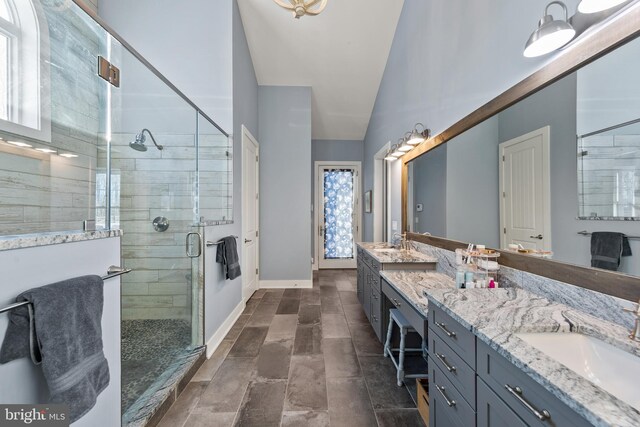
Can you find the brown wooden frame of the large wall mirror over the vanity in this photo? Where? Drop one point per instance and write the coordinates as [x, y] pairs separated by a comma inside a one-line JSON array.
[[619, 30]]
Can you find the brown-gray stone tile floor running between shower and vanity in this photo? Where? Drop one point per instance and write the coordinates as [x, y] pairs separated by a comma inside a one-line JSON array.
[[298, 357]]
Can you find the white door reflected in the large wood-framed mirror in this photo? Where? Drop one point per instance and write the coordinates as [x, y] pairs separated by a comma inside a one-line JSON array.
[[525, 213]]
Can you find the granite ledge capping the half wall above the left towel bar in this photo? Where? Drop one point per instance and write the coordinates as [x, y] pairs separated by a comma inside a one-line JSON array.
[[44, 239]]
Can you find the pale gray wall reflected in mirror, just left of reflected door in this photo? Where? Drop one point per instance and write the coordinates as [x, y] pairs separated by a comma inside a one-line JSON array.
[[473, 210]]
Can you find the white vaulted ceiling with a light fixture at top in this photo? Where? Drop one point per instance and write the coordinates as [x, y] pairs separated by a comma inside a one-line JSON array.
[[341, 54]]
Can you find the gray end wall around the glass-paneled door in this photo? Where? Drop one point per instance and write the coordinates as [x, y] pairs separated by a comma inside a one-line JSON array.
[[332, 150]]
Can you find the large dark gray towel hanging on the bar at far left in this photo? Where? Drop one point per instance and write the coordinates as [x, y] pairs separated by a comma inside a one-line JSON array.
[[61, 330]]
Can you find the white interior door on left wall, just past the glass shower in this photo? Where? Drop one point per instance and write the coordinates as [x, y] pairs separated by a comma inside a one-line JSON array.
[[250, 214]]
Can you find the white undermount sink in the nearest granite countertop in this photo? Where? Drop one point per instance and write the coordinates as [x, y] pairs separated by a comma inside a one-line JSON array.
[[606, 366]]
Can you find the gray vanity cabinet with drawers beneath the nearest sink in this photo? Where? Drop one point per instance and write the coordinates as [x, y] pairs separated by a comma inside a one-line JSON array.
[[471, 384]]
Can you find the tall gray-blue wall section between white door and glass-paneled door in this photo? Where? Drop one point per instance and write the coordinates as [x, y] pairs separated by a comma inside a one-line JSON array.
[[284, 117]]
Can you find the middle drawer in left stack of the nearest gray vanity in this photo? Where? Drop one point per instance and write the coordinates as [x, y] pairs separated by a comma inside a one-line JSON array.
[[461, 375]]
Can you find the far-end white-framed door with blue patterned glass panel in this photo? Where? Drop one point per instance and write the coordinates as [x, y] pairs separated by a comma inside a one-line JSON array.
[[338, 213]]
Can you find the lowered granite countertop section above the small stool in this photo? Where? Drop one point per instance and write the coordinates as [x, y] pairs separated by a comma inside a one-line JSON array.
[[411, 284]]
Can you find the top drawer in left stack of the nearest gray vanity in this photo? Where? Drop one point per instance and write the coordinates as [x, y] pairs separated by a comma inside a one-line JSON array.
[[456, 336]]
